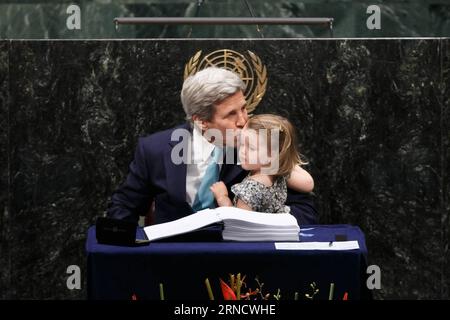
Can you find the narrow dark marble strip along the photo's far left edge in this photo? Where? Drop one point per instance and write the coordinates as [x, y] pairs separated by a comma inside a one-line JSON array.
[[4, 127]]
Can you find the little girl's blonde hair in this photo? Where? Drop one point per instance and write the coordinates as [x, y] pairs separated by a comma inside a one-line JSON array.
[[289, 156]]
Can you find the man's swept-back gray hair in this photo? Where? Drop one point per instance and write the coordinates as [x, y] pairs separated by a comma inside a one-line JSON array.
[[206, 88]]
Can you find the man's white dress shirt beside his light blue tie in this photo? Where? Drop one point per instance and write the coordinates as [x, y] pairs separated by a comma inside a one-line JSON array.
[[201, 155]]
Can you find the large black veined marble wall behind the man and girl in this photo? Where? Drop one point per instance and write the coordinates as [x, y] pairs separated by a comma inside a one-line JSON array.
[[369, 117]]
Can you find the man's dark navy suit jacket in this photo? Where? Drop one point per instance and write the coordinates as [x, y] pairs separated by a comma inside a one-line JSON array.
[[154, 177]]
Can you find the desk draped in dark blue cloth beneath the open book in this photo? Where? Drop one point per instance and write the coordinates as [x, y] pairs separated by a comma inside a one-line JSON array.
[[116, 272]]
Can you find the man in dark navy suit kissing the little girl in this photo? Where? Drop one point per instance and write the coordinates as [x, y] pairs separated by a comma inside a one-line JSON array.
[[213, 101]]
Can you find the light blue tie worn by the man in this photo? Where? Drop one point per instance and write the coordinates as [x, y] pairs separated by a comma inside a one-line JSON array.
[[204, 198]]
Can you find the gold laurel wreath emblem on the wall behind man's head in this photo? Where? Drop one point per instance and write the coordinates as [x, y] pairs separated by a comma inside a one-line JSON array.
[[254, 92]]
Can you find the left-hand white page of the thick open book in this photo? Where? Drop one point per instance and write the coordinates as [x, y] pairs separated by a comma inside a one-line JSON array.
[[184, 225]]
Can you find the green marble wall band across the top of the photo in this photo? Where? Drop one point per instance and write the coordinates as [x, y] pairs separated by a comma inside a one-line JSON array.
[[37, 19]]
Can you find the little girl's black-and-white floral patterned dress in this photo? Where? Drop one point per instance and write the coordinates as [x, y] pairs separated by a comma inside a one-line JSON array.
[[260, 197]]
